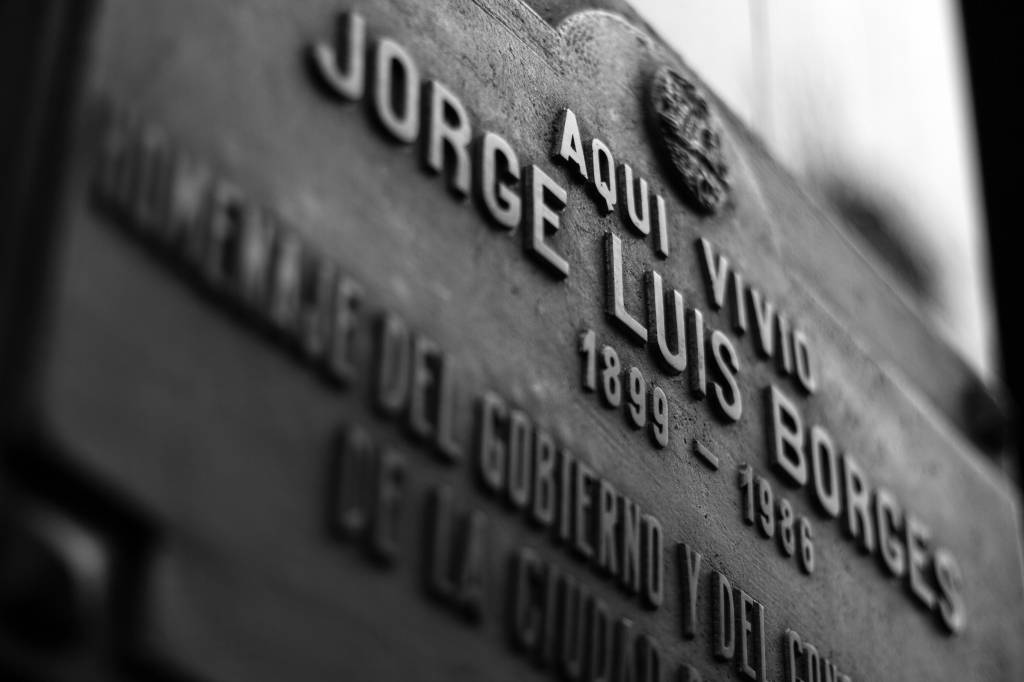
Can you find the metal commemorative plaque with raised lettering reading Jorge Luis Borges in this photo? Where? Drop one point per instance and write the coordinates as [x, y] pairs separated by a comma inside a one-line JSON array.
[[446, 340]]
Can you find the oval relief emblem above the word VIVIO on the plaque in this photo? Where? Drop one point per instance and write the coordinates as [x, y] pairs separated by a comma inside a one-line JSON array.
[[691, 138]]
